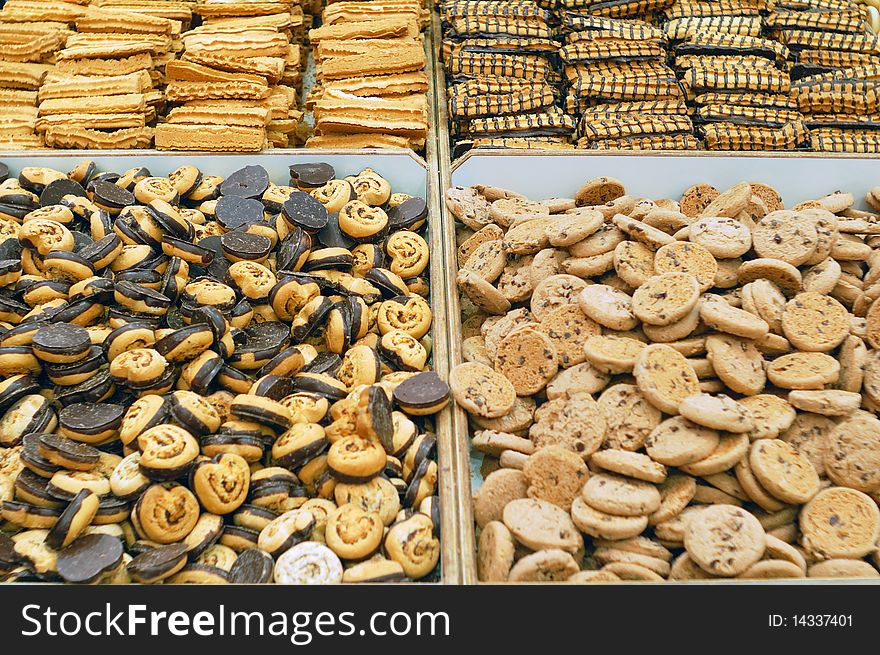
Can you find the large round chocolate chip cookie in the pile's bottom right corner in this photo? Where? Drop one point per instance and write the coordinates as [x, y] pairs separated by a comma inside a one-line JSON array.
[[839, 523]]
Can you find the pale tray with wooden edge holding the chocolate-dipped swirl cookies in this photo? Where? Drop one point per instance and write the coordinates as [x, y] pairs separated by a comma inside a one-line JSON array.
[[407, 173]]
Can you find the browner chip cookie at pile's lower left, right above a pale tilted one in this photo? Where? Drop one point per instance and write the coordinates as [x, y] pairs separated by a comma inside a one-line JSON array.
[[555, 474]]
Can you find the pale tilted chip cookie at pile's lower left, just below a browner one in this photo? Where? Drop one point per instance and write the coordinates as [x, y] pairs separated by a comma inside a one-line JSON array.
[[538, 525]]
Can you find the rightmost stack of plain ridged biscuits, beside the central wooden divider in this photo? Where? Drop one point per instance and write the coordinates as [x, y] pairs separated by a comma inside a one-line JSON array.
[[371, 85]]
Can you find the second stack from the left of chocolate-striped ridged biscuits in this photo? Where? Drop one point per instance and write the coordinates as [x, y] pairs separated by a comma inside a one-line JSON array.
[[620, 86]]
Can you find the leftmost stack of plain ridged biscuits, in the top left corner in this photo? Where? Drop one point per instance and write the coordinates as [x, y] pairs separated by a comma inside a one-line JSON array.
[[30, 34]]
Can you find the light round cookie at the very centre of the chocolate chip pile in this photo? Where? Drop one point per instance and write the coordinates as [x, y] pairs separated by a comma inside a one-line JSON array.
[[665, 377]]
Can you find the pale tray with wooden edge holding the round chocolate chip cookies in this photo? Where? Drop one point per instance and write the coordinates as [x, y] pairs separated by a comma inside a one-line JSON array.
[[560, 174]]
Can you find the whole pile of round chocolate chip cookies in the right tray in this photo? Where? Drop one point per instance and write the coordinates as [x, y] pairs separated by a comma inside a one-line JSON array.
[[671, 389]]
